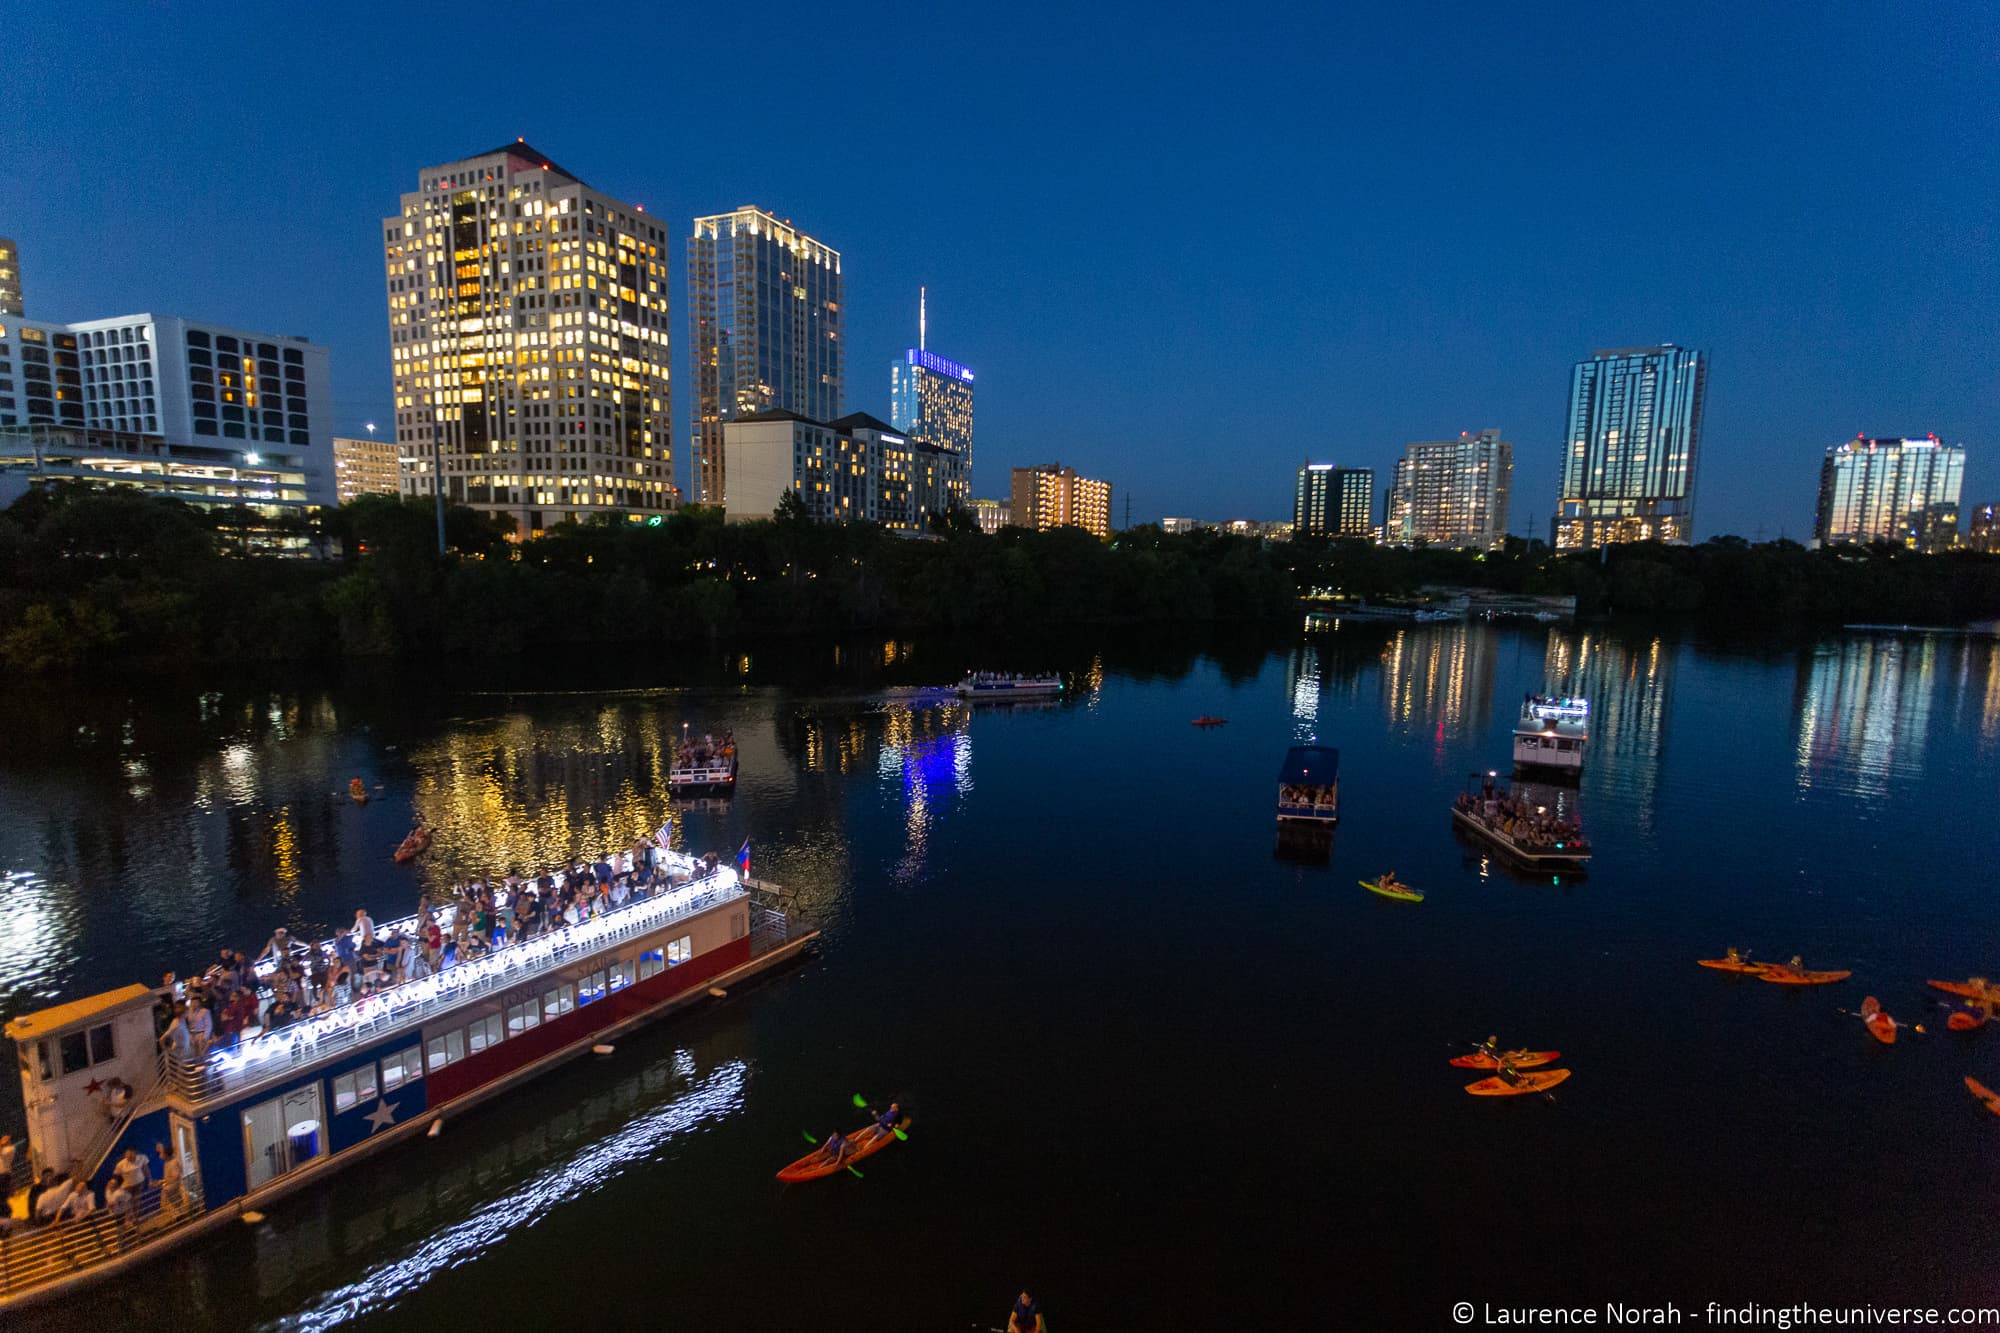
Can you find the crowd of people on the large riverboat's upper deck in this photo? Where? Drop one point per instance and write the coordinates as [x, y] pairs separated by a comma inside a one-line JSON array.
[[235, 998]]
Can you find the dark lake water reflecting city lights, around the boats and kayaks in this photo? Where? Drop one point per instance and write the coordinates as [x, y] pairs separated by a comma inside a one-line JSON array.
[[1163, 1068]]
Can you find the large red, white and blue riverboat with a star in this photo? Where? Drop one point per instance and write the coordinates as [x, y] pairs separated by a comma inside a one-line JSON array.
[[283, 1110]]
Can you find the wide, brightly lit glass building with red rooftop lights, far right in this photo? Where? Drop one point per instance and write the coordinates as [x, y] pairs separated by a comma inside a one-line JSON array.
[[1891, 491]]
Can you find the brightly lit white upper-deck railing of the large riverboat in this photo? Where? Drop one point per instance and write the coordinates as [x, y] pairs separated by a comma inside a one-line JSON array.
[[281, 1052]]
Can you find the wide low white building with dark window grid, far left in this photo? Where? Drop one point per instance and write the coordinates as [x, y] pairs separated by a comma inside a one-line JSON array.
[[201, 413]]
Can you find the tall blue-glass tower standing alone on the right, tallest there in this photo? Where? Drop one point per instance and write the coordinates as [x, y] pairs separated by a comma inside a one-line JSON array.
[[1631, 447]]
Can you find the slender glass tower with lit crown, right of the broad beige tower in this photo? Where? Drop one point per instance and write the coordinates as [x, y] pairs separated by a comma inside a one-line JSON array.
[[767, 313]]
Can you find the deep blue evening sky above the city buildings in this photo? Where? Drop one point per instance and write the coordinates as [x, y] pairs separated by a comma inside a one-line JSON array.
[[1183, 251]]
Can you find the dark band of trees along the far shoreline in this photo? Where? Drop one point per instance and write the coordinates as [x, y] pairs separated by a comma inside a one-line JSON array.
[[101, 577]]
